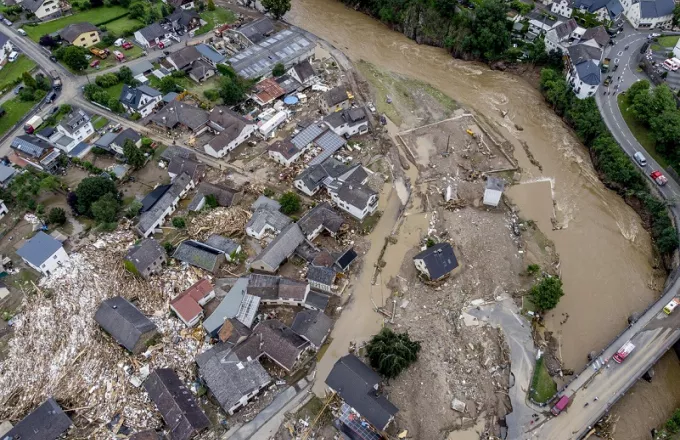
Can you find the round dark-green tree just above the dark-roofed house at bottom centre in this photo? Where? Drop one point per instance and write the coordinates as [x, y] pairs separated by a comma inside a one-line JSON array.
[[391, 353]]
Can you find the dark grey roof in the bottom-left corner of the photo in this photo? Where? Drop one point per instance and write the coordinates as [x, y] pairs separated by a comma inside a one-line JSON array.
[[46, 422]]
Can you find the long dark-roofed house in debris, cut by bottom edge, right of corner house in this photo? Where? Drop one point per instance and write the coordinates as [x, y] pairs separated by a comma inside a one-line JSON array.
[[176, 403]]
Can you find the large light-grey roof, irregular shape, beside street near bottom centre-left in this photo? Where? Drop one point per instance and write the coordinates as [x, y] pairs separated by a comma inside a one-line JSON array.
[[227, 377]]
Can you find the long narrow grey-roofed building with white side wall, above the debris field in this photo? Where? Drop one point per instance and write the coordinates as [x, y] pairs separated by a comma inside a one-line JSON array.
[[158, 205]]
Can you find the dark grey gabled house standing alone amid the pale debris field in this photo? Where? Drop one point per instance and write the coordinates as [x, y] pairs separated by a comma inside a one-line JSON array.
[[126, 324]]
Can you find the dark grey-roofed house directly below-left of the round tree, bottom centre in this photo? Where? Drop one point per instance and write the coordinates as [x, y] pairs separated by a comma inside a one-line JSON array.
[[355, 383]]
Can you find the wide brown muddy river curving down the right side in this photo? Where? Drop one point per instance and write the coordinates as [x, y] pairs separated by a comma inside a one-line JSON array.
[[605, 254]]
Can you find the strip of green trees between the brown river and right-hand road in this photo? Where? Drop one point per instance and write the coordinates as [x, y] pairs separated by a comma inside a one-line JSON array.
[[615, 168]]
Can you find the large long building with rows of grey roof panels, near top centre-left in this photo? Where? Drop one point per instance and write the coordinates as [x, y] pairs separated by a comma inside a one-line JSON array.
[[287, 47]]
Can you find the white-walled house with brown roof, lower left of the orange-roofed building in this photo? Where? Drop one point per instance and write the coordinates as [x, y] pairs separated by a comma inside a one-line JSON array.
[[232, 130]]
